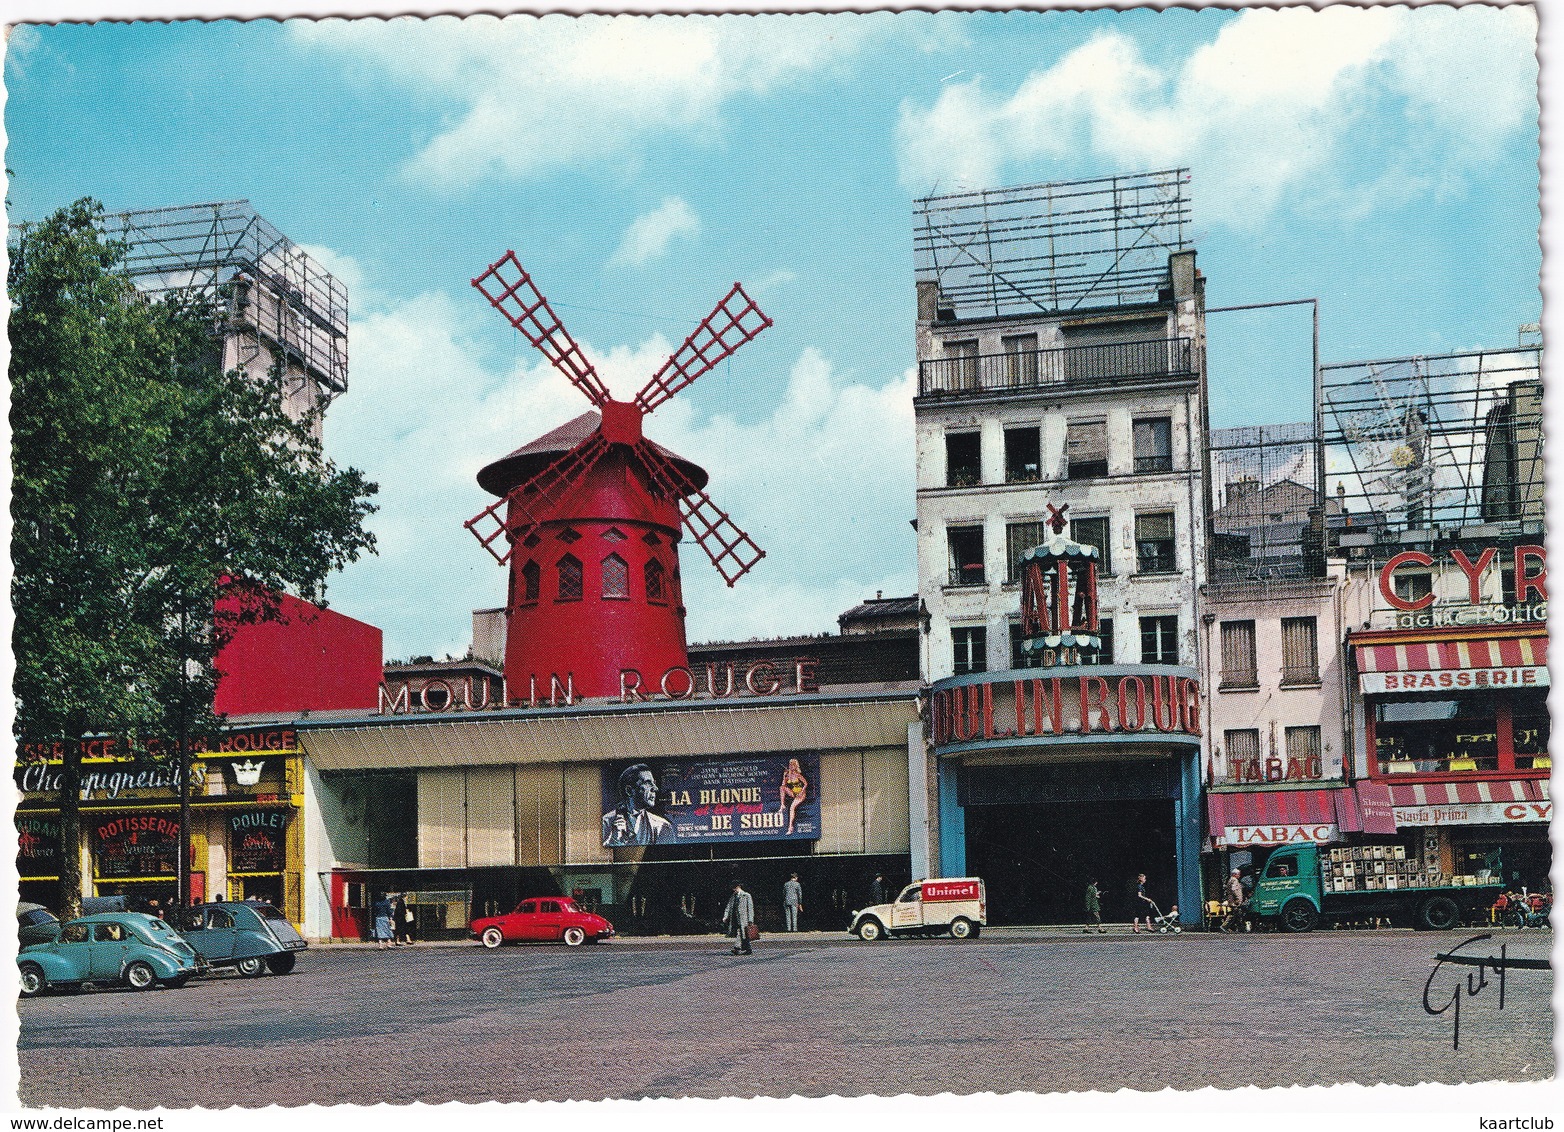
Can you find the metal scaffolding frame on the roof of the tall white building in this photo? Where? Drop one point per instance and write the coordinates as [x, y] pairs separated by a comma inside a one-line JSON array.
[[1042, 249]]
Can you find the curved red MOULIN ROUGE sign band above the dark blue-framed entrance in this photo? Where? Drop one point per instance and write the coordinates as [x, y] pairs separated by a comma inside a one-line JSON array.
[[1058, 706]]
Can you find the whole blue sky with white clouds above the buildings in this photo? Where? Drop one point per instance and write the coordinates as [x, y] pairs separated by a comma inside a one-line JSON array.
[[1380, 160]]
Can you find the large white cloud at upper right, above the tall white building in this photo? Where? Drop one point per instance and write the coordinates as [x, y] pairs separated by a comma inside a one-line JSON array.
[[1261, 113]]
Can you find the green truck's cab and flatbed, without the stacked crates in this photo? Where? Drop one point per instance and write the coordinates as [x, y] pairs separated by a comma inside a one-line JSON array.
[[1294, 894]]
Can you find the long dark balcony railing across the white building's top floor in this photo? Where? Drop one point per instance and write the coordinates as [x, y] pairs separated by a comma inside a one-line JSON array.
[[1069, 365]]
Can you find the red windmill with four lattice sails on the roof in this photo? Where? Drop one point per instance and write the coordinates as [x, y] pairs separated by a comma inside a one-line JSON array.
[[589, 515]]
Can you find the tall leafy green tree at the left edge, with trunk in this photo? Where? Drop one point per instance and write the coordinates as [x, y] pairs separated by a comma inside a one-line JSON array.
[[159, 503]]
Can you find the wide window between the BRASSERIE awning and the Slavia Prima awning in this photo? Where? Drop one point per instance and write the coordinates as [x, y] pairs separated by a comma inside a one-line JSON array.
[[1438, 736]]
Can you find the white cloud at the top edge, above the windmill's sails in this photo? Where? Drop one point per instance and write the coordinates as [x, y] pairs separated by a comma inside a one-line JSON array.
[[558, 93]]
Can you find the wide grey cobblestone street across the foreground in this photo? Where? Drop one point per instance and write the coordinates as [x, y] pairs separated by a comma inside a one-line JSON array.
[[809, 1016]]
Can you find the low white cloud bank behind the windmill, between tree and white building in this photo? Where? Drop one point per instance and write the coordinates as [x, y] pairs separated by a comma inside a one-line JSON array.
[[429, 407]]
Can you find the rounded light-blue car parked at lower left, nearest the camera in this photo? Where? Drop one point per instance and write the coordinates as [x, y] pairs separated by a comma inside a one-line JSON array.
[[127, 948]]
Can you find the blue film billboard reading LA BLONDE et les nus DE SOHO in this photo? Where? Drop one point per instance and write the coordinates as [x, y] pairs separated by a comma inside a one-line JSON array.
[[761, 798]]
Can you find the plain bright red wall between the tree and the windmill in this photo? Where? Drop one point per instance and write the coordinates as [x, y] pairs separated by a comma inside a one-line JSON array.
[[310, 661]]
